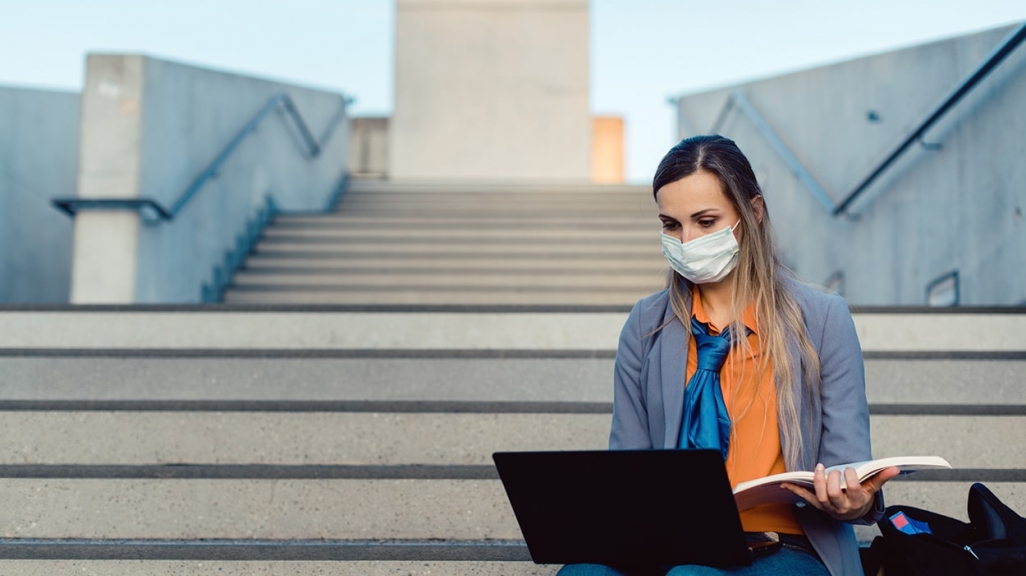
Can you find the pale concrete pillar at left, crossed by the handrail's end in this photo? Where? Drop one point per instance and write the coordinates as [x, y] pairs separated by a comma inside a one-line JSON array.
[[105, 250]]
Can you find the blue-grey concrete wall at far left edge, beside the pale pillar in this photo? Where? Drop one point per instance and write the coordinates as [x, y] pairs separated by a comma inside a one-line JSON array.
[[38, 161]]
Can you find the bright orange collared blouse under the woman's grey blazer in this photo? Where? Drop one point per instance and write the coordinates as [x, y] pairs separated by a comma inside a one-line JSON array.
[[751, 396]]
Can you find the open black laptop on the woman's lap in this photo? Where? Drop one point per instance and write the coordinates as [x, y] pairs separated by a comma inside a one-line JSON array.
[[635, 511]]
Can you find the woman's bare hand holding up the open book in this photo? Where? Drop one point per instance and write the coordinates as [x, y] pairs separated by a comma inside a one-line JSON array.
[[843, 505]]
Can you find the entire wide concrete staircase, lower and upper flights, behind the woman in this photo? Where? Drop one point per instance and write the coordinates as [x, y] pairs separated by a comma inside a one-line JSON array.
[[263, 438]]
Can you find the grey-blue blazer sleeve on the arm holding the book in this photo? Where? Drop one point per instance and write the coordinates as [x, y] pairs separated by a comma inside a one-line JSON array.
[[846, 411]]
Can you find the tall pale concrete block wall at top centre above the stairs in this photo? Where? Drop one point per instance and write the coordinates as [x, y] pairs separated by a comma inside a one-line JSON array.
[[492, 90]]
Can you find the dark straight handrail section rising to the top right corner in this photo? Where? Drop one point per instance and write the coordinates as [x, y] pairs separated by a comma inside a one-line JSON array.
[[964, 88]]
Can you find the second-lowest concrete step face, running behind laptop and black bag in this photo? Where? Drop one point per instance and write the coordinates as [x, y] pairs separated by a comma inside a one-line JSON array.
[[361, 510]]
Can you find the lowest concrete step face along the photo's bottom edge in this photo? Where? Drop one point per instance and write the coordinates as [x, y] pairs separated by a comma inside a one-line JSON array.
[[268, 568]]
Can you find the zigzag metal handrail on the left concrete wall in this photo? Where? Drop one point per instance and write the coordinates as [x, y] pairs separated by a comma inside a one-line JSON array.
[[152, 211]]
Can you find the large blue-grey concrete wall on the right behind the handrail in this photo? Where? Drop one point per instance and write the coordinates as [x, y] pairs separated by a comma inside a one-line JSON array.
[[959, 208]]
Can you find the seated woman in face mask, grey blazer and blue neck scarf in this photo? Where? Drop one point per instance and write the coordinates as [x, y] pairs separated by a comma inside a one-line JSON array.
[[774, 370]]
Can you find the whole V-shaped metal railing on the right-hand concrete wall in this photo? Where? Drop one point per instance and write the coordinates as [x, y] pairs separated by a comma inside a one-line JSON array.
[[738, 100]]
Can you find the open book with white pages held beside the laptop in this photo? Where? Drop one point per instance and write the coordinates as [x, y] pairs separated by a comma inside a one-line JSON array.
[[768, 491]]
